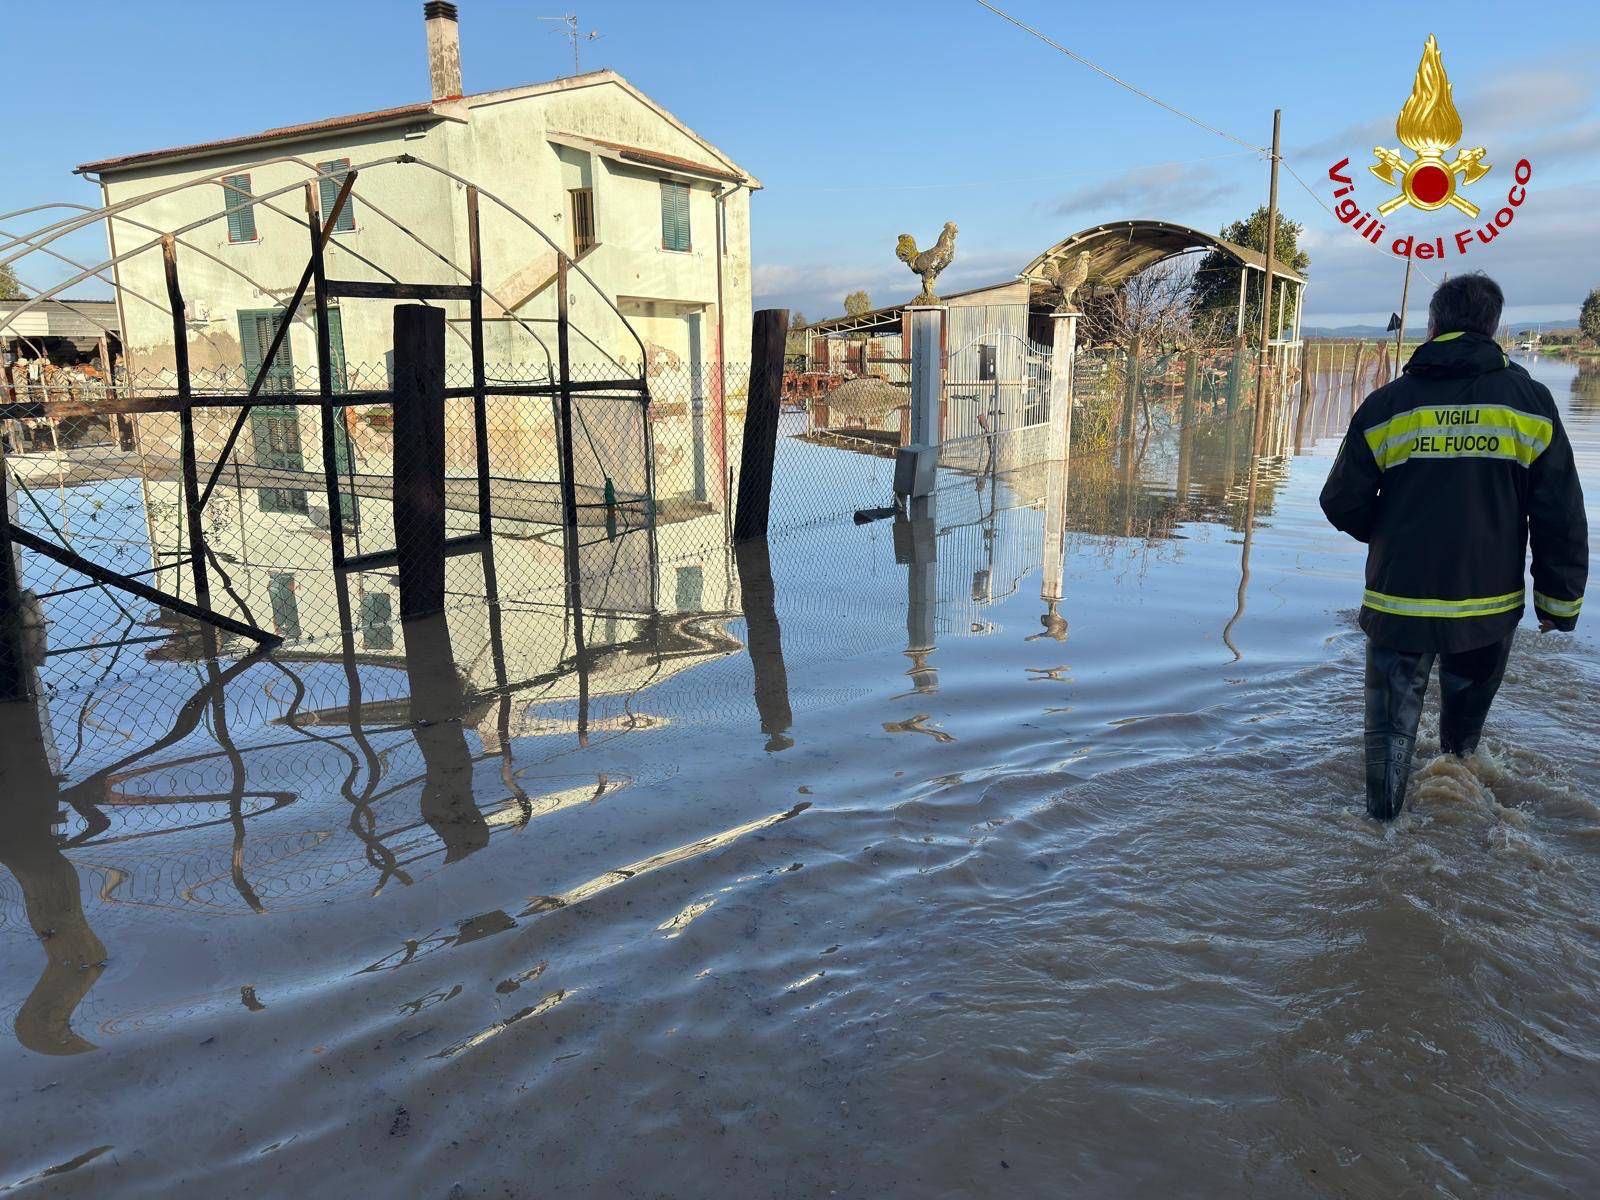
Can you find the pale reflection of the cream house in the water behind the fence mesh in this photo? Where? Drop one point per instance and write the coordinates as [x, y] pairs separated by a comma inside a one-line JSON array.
[[273, 570]]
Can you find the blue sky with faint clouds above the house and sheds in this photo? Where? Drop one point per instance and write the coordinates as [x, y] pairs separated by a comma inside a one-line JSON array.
[[871, 121]]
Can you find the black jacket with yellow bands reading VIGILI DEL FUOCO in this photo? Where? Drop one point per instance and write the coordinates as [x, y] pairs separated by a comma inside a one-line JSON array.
[[1446, 474]]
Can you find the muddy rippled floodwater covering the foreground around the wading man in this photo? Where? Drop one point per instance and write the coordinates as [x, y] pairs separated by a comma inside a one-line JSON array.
[[934, 862]]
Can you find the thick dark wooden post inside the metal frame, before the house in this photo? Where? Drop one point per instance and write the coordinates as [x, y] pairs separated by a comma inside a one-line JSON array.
[[420, 458]]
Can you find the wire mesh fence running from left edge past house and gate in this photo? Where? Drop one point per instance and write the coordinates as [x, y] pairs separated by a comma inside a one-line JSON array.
[[654, 487]]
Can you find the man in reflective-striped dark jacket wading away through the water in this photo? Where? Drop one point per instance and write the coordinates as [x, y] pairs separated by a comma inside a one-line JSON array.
[[1447, 474]]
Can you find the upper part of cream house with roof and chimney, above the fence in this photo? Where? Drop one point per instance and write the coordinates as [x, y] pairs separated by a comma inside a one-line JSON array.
[[657, 217]]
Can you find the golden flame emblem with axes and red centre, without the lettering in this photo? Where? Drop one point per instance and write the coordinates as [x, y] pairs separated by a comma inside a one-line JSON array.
[[1430, 126]]
